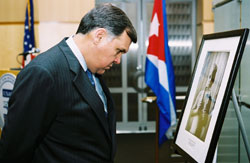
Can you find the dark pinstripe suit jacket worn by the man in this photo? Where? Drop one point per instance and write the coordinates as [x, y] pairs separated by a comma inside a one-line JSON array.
[[55, 114]]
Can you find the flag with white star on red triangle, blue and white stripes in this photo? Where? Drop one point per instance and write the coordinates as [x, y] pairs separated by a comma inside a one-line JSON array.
[[159, 73]]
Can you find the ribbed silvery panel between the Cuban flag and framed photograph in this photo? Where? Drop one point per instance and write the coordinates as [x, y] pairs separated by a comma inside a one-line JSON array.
[[179, 17]]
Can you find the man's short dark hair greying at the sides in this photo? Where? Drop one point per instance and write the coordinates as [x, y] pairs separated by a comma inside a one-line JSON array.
[[107, 16]]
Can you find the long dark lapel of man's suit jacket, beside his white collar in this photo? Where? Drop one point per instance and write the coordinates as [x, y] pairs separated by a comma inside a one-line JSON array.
[[84, 86]]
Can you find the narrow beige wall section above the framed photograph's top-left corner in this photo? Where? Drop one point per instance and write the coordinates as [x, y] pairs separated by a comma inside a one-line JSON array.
[[205, 19]]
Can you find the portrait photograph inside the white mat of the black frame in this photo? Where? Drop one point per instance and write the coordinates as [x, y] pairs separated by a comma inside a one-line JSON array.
[[206, 93]]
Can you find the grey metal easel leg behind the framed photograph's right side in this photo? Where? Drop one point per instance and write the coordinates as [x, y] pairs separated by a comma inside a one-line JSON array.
[[242, 127]]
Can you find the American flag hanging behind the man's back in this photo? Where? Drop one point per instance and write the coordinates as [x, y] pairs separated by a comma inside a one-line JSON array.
[[29, 35]]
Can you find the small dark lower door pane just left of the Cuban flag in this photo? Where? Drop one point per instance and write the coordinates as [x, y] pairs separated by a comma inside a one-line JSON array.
[[132, 107]]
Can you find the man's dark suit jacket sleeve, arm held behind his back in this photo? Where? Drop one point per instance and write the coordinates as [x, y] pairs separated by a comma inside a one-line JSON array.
[[27, 117]]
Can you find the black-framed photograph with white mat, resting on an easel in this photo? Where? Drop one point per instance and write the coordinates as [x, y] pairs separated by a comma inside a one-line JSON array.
[[208, 94]]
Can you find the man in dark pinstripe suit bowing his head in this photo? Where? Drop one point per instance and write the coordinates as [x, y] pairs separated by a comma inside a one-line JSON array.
[[60, 109]]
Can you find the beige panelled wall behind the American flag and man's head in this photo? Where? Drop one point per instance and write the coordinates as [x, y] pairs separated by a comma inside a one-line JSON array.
[[54, 20]]
